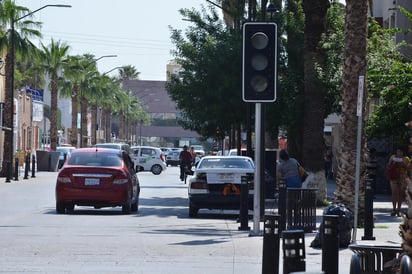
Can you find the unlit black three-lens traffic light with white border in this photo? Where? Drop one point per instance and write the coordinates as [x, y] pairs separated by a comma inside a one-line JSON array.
[[259, 62]]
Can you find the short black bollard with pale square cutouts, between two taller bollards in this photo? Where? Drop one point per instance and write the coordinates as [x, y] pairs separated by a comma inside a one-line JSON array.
[[293, 251]]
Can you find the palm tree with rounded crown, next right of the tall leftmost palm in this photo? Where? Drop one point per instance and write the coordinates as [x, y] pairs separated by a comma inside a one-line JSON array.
[[52, 61]]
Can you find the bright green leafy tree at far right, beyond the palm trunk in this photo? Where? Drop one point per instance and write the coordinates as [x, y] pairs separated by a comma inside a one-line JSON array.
[[388, 79]]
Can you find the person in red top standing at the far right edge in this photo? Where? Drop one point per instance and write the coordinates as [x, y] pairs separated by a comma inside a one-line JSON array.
[[399, 183]]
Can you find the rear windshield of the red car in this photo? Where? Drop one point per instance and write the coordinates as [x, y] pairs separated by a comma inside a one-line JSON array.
[[95, 159]]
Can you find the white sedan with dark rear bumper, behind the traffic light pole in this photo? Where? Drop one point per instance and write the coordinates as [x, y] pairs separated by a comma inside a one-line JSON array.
[[216, 183]]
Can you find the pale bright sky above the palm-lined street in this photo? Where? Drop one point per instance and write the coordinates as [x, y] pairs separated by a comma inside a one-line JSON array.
[[135, 30]]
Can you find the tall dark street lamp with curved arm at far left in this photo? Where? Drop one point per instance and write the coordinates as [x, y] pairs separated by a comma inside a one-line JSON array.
[[11, 91]]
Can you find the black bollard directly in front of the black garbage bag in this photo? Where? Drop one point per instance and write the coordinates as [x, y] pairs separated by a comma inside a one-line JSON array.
[[330, 244]]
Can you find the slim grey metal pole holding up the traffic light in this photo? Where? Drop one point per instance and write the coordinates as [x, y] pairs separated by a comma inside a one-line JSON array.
[[257, 179]]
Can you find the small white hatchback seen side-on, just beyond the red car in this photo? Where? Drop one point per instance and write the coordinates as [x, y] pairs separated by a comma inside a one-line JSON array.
[[149, 159]]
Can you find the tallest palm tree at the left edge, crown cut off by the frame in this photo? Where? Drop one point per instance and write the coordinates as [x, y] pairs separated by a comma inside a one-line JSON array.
[[19, 31]]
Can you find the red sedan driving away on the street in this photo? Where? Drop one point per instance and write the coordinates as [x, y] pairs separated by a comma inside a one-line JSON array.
[[98, 177]]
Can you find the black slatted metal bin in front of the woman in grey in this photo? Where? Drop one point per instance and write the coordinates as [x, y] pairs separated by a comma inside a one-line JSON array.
[[301, 209]]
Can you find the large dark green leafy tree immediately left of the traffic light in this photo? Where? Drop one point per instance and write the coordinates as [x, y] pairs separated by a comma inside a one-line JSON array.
[[208, 90]]
